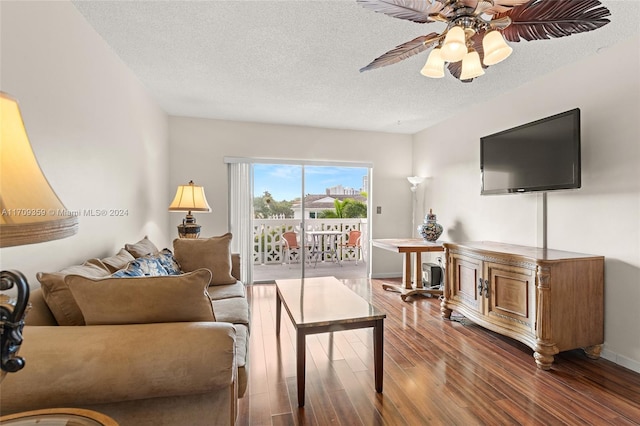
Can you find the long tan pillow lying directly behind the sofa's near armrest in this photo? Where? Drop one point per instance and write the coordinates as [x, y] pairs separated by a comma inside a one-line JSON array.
[[142, 300]]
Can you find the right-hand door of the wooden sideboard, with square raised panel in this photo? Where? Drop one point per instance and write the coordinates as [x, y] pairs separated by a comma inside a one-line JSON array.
[[511, 298]]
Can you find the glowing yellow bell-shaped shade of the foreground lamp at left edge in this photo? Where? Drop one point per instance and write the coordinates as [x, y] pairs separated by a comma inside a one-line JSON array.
[[31, 210]]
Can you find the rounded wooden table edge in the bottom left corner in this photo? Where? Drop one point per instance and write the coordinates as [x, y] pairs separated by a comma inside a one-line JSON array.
[[59, 417]]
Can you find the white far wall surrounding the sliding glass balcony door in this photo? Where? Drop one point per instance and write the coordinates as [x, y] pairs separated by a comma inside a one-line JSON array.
[[199, 145]]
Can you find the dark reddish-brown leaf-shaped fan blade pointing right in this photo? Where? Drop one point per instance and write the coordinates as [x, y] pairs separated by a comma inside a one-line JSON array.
[[544, 19]]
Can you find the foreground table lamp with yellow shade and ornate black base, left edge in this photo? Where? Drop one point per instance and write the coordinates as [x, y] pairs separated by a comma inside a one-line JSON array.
[[31, 213]]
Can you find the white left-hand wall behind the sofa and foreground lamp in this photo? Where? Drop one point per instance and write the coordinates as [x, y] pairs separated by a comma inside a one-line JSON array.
[[100, 139]]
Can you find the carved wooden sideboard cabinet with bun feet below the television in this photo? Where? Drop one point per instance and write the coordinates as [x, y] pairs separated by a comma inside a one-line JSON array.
[[550, 300]]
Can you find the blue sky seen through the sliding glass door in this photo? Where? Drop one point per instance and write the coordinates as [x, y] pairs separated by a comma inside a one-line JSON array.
[[283, 181]]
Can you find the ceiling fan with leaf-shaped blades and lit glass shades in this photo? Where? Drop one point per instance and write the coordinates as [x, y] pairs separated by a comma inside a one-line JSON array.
[[476, 30]]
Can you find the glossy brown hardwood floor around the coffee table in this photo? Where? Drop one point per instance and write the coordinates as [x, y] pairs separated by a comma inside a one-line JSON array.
[[436, 372]]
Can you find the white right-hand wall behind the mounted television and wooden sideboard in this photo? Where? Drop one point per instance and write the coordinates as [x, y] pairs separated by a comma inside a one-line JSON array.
[[603, 217]]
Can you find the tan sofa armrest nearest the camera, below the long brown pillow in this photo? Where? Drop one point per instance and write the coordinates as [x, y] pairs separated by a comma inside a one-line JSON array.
[[76, 366]]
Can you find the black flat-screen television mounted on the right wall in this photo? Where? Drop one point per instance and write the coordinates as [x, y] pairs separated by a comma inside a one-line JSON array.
[[542, 155]]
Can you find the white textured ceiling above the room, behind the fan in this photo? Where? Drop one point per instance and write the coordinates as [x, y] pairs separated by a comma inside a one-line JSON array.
[[297, 62]]
